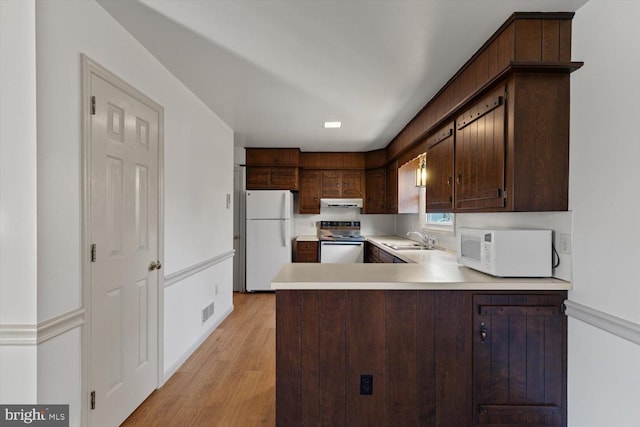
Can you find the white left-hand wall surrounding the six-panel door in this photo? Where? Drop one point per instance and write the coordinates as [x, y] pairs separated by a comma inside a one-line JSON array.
[[42, 41]]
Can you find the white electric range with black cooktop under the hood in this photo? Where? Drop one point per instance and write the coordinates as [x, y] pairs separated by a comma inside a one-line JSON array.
[[341, 242]]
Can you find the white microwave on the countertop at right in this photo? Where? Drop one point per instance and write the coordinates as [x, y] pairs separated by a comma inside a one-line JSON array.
[[506, 252]]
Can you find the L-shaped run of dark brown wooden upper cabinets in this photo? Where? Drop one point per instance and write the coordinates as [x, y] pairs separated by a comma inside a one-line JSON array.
[[507, 150]]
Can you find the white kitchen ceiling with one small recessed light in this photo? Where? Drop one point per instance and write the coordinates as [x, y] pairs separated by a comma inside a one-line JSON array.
[[275, 71]]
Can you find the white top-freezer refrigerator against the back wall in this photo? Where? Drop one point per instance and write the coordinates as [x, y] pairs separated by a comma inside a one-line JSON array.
[[268, 236]]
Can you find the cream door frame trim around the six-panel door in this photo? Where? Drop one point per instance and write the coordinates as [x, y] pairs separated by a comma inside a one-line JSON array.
[[90, 67]]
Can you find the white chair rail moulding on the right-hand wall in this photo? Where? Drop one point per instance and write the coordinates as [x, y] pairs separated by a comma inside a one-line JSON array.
[[605, 321]]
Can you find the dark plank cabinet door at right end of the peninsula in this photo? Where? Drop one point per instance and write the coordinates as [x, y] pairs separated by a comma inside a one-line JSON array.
[[519, 360]]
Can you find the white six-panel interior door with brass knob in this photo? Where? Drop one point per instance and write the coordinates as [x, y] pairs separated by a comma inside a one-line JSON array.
[[123, 224]]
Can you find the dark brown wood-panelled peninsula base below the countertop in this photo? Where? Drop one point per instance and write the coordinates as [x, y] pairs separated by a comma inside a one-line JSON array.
[[414, 358]]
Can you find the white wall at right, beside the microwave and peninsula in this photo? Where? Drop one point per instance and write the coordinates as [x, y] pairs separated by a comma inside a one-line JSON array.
[[604, 370]]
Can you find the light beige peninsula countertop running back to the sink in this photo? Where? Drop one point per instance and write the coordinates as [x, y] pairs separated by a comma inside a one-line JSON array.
[[430, 269]]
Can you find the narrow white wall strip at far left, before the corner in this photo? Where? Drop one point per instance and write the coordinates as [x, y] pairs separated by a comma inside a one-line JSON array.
[[18, 245]]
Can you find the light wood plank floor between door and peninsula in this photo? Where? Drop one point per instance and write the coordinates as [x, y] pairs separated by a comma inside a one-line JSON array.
[[229, 380]]
